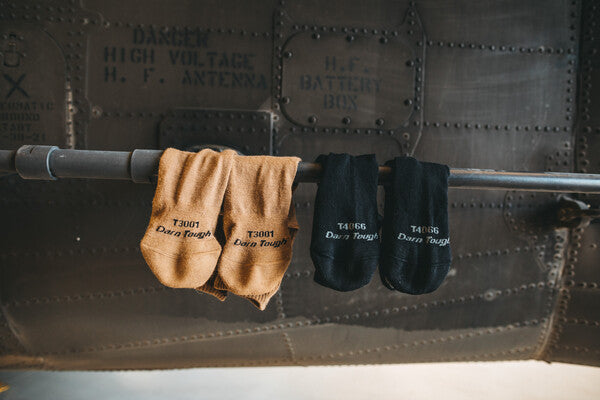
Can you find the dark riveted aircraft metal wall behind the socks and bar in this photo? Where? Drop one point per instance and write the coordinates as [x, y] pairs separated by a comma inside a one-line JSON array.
[[508, 85]]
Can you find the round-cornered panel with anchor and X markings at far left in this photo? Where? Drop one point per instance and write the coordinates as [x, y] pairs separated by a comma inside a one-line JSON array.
[[33, 99]]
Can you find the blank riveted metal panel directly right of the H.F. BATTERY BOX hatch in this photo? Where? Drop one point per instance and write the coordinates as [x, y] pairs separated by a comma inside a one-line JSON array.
[[469, 85]]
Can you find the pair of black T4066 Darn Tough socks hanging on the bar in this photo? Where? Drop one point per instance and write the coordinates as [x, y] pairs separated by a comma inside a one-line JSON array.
[[414, 255]]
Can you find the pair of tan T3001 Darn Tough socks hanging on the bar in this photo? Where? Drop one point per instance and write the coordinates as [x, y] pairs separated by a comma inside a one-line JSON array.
[[254, 194]]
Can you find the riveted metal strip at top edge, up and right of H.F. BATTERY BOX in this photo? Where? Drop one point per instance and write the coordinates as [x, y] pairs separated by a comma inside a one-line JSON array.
[[502, 26]]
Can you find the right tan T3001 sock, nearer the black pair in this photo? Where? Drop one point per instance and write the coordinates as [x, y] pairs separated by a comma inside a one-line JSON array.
[[260, 225]]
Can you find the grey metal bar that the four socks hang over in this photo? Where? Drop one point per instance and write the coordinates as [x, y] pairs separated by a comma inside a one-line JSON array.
[[141, 165]]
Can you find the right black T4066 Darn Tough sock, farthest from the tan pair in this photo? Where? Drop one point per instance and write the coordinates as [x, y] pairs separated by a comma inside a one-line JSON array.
[[416, 242]]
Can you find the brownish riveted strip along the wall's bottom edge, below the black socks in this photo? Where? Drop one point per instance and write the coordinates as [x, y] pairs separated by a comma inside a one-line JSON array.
[[343, 344]]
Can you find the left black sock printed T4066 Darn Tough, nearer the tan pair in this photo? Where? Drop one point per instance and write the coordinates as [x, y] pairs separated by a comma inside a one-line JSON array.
[[345, 237]]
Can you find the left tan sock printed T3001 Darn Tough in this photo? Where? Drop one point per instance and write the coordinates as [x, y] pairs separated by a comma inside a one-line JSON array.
[[179, 245]]
